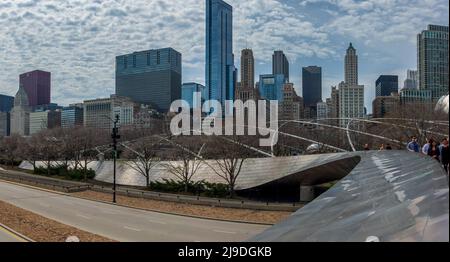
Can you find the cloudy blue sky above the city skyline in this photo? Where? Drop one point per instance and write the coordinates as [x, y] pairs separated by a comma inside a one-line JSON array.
[[77, 40]]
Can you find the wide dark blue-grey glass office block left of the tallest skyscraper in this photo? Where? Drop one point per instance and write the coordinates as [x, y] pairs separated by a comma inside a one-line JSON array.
[[151, 77]]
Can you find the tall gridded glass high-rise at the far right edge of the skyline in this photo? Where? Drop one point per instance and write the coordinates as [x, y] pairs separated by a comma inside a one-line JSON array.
[[432, 56]]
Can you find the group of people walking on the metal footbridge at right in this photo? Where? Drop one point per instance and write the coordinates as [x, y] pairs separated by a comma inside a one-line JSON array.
[[432, 148]]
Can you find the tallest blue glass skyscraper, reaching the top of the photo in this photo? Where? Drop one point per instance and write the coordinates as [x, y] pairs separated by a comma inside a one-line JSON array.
[[220, 71]]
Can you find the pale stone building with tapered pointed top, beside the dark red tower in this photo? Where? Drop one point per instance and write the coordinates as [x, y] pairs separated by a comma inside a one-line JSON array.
[[20, 114]]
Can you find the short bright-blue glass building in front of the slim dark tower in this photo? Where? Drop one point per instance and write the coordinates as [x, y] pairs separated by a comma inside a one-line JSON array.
[[271, 87]]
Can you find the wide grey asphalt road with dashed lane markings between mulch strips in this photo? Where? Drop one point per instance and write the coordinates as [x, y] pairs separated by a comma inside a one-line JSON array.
[[125, 224]]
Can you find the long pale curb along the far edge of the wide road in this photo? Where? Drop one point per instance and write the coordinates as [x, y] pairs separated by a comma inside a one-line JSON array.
[[138, 208]]
